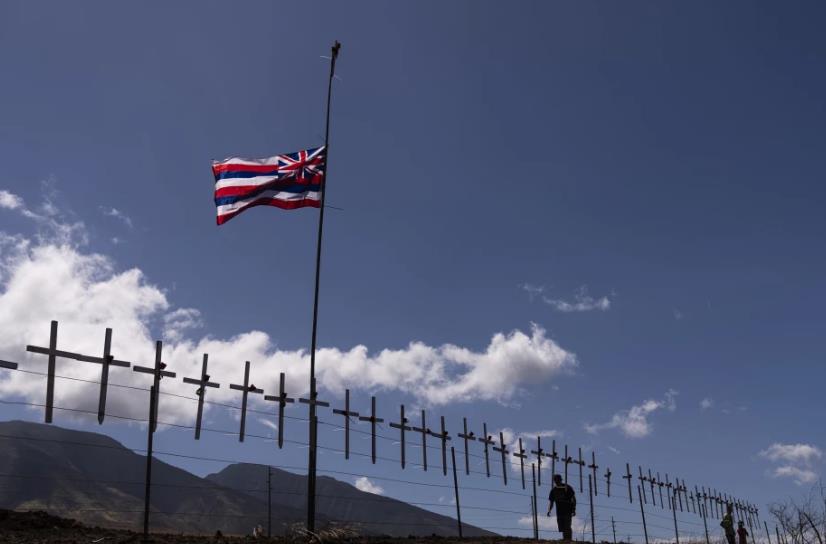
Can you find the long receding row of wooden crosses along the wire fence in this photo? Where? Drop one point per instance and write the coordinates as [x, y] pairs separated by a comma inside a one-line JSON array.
[[679, 495]]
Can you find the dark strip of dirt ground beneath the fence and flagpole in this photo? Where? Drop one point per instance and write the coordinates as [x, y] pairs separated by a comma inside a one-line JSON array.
[[43, 528]]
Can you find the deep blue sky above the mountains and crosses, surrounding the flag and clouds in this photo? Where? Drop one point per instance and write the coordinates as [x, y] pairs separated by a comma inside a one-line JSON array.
[[659, 163]]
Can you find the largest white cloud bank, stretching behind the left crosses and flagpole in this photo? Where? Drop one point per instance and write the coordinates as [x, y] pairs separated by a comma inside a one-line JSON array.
[[43, 280]]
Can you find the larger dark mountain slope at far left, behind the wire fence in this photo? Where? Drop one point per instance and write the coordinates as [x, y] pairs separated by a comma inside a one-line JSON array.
[[95, 479]]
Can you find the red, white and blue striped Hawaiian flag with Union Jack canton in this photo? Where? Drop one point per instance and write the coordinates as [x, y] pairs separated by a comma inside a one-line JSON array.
[[290, 181]]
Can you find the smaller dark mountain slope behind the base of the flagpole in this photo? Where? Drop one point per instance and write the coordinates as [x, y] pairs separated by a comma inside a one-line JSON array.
[[343, 503]]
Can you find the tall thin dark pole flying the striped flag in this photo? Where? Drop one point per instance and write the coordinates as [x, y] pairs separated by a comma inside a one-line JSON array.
[[311, 468]]
